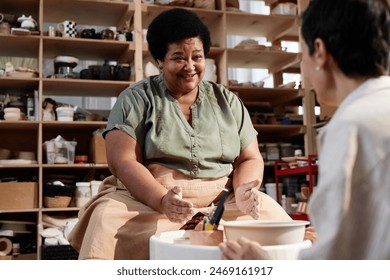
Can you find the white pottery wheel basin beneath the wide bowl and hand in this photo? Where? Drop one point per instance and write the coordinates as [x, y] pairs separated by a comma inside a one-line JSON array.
[[175, 245]]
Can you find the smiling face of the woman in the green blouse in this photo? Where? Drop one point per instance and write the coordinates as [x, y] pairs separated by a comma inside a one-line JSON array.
[[184, 65]]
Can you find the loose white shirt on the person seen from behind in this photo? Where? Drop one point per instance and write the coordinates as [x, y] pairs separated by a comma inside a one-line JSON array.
[[350, 207]]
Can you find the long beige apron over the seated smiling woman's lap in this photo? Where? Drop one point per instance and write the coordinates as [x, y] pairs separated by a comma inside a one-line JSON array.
[[114, 225]]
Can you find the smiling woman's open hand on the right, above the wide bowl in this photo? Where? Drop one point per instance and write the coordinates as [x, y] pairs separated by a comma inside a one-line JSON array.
[[248, 198]]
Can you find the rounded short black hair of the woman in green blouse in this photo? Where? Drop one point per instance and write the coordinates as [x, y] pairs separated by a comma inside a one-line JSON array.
[[173, 26]]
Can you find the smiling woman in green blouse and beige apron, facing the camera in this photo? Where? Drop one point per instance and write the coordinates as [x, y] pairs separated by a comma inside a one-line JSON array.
[[174, 143]]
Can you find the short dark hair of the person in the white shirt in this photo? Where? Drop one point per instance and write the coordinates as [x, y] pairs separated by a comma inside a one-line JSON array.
[[355, 32]]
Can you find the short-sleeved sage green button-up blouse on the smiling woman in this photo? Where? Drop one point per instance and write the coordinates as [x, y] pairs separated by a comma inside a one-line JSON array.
[[221, 127]]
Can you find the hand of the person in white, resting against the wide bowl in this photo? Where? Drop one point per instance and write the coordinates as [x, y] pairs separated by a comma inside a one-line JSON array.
[[243, 249]]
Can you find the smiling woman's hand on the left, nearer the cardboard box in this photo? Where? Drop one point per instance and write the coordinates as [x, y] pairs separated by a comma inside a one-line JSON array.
[[177, 209]]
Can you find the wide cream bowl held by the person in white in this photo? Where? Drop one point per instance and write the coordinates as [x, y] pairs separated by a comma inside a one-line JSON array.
[[266, 233]]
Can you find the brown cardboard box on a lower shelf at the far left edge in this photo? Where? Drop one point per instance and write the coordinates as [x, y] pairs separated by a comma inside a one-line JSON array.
[[18, 195]]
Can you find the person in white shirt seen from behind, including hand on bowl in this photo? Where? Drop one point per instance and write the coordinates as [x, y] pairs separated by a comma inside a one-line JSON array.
[[345, 56]]
